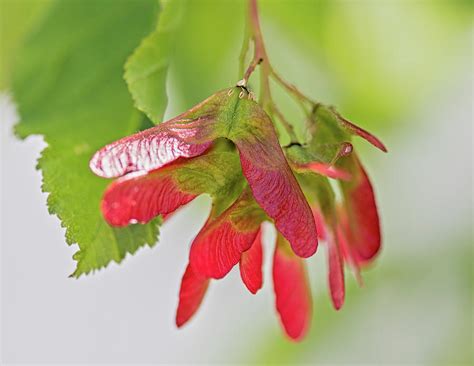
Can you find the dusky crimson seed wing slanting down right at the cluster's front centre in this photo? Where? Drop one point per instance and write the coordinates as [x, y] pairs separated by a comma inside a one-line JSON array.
[[272, 181]]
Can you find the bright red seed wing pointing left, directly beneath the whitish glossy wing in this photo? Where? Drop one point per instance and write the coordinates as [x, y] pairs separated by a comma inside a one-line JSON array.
[[139, 197]]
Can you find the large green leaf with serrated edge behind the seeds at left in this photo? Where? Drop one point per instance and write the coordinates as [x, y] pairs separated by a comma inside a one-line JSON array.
[[69, 88]]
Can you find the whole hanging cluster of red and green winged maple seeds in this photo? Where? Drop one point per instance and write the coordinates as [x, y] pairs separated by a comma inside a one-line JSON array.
[[227, 147]]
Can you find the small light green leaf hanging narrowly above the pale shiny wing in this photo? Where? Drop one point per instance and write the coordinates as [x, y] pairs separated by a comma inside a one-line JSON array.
[[147, 68]]
